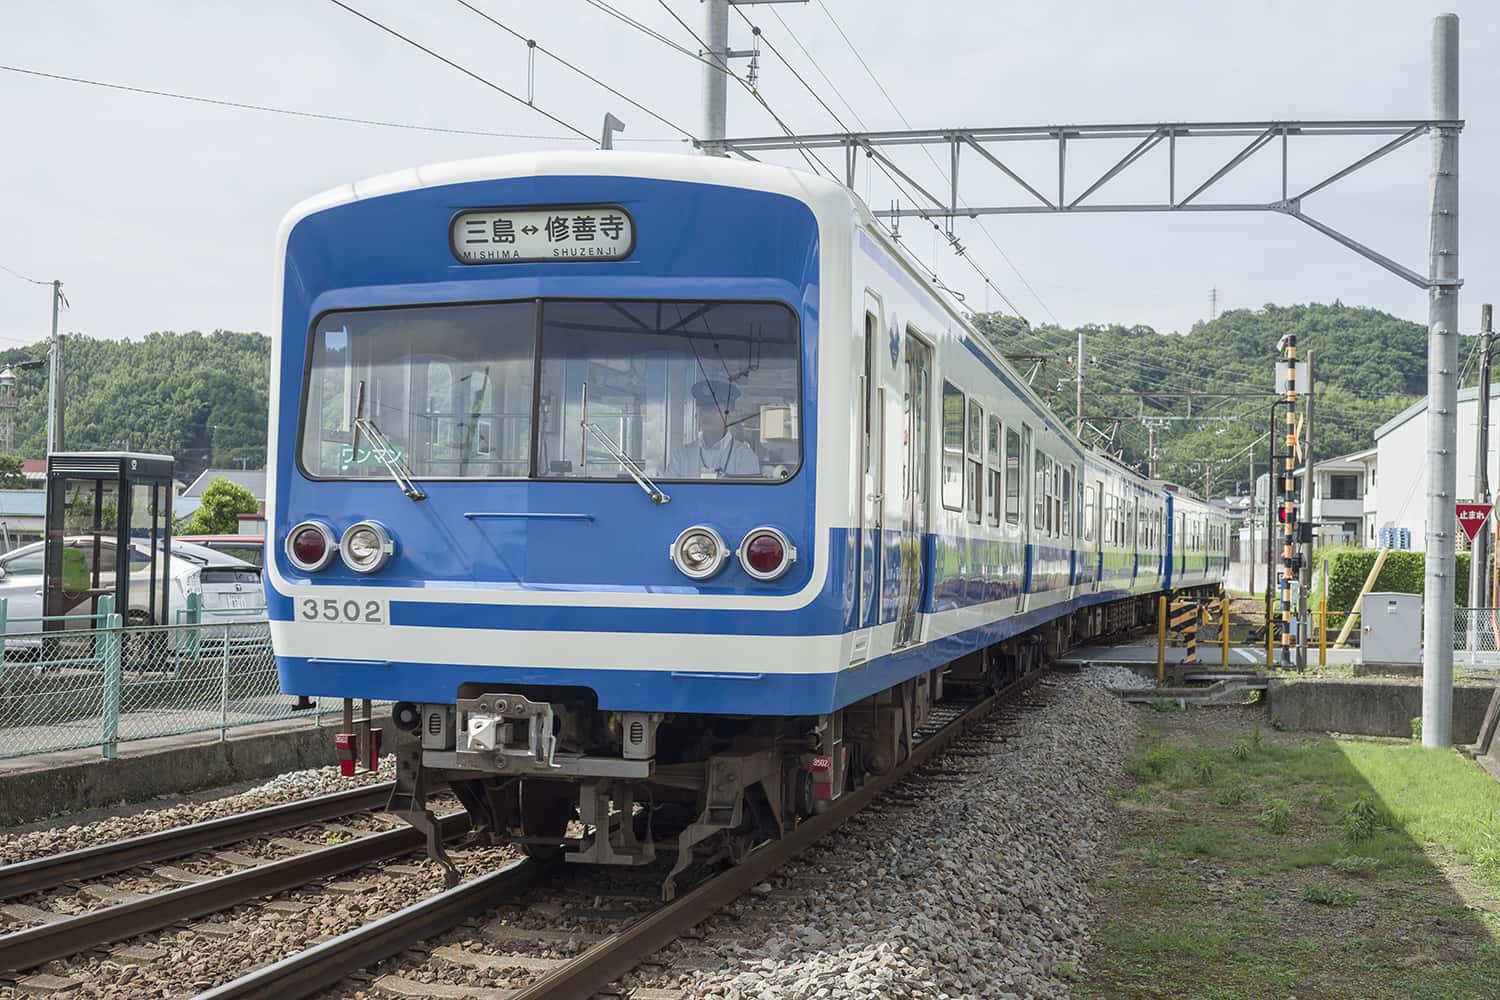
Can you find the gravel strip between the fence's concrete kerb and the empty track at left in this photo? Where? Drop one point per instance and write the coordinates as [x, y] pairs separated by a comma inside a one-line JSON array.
[[286, 788]]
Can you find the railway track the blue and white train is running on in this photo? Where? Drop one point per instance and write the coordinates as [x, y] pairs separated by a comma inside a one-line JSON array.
[[602, 957]]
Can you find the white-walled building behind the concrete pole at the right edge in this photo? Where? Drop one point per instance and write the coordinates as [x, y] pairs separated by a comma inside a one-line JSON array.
[[1397, 496]]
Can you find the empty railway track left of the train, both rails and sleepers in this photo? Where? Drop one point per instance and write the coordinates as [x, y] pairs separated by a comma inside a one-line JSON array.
[[196, 894]]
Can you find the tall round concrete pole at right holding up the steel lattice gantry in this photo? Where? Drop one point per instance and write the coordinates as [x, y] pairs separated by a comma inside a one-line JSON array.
[[1442, 394]]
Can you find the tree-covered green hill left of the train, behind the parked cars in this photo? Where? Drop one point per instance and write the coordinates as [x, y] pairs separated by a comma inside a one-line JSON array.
[[200, 398]]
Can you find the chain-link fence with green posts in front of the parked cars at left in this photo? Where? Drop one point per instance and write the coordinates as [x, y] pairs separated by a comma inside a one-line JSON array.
[[95, 686]]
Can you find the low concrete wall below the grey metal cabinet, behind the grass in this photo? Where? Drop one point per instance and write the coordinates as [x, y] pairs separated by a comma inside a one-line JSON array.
[[1372, 708]]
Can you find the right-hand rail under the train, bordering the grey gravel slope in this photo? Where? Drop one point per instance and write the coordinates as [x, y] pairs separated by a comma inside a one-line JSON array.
[[617, 956]]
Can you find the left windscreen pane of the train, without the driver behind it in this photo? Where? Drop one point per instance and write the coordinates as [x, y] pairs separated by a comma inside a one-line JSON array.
[[448, 386]]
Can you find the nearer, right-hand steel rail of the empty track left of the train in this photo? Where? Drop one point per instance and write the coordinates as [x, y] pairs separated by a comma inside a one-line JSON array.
[[38, 945]]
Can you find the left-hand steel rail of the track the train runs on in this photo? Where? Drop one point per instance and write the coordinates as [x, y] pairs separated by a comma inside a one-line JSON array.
[[326, 965]]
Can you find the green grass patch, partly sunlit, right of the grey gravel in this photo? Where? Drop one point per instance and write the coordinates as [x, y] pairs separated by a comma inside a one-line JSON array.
[[1274, 864]]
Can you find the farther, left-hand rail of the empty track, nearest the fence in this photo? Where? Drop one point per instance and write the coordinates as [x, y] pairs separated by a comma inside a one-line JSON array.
[[103, 860]]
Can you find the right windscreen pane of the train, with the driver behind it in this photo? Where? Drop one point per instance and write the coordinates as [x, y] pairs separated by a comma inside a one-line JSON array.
[[688, 391]]
